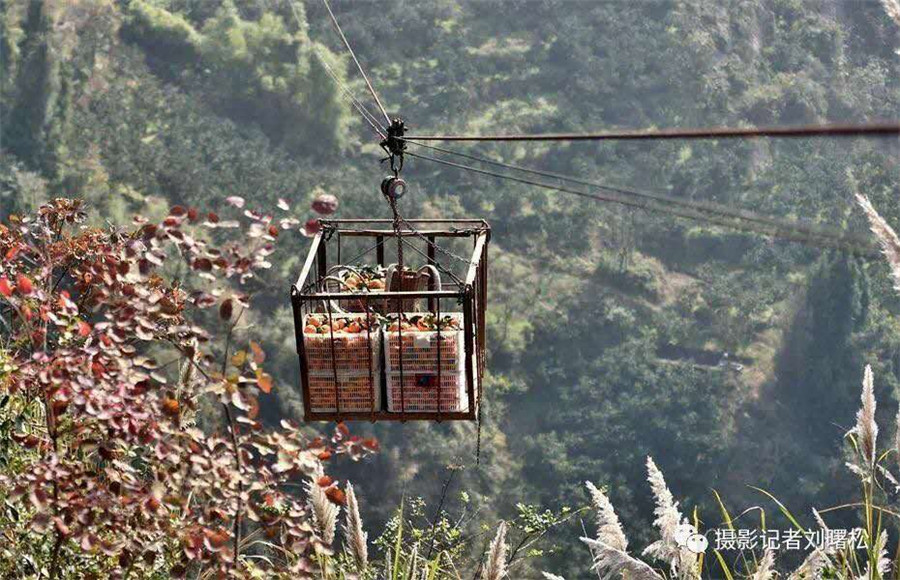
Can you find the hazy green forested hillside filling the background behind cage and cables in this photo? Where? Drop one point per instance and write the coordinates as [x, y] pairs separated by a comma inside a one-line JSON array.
[[613, 333]]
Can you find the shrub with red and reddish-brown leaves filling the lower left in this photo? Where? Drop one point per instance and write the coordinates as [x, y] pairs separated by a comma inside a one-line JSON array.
[[105, 367]]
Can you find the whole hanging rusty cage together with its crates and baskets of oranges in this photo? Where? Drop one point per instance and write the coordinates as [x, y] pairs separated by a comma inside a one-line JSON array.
[[421, 370]]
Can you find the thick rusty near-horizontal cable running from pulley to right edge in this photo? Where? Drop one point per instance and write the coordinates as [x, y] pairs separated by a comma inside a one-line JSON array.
[[828, 130]]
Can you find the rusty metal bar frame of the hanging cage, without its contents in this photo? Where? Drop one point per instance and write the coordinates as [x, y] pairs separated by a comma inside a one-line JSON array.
[[471, 294]]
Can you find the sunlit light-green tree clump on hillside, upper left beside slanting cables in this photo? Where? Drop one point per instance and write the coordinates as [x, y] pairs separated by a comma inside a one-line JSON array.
[[265, 72]]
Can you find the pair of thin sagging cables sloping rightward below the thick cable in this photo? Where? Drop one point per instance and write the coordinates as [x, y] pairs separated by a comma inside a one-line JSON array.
[[784, 229]]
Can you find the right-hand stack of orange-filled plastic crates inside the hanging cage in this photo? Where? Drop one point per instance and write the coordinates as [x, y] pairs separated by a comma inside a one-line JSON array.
[[420, 391]]
